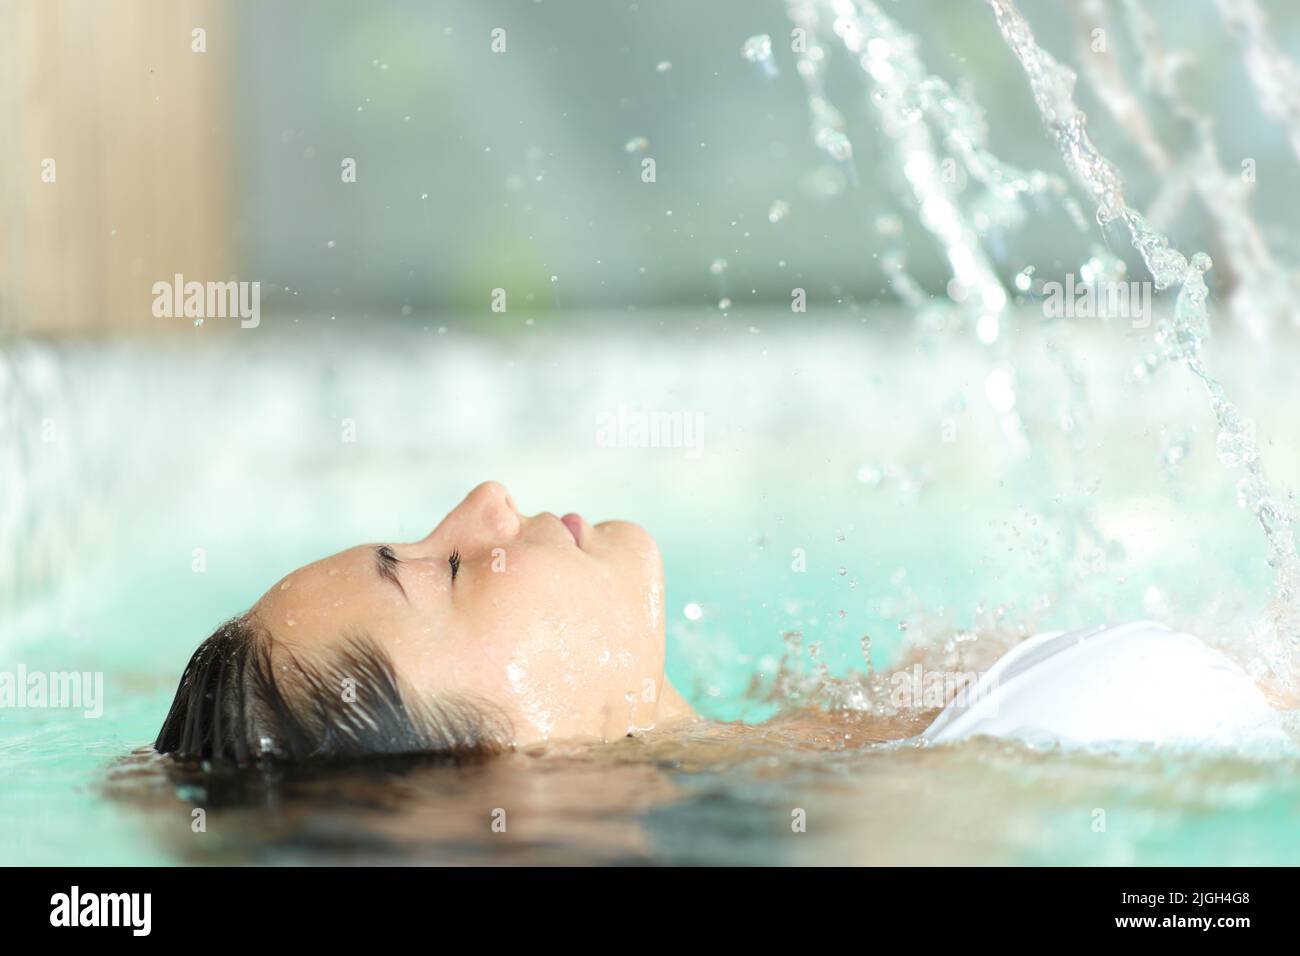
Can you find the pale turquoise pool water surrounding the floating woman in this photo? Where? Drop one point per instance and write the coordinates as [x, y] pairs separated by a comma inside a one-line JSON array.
[[189, 475]]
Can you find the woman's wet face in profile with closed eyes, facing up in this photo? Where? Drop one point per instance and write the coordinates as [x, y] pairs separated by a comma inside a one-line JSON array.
[[556, 622]]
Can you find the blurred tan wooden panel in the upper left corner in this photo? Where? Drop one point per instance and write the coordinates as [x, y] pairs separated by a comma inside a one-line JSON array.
[[138, 127]]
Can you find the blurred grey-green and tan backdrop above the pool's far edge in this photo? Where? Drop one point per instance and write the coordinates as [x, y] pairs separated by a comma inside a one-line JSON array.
[[480, 170]]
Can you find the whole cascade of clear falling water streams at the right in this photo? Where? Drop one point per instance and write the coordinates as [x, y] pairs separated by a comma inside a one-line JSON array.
[[930, 128]]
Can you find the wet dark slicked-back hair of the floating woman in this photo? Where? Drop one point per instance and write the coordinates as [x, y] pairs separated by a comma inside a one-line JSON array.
[[239, 707]]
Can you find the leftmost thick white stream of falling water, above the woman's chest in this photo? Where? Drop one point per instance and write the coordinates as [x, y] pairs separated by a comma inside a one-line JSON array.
[[921, 115]]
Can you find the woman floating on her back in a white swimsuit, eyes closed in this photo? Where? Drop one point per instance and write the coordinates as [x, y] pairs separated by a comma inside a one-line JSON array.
[[500, 630]]
